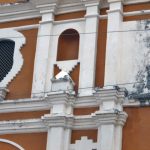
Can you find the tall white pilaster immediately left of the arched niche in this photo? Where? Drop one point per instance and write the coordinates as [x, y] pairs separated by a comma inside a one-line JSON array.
[[42, 52]]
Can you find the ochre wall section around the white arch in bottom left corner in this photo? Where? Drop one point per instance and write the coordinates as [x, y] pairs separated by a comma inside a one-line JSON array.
[[29, 141]]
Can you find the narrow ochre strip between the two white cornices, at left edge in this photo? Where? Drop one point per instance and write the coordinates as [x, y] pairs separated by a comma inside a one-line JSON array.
[[23, 115]]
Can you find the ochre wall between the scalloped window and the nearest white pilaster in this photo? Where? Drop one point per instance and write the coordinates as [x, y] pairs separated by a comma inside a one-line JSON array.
[[21, 85]]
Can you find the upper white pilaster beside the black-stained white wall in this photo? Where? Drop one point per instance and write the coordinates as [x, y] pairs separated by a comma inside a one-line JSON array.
[[113, 50]]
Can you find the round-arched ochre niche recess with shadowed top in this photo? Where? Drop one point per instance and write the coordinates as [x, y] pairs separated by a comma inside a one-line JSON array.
[[68, 45]]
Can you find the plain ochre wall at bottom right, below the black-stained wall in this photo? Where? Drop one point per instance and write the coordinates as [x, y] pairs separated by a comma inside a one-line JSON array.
[[136, 133]]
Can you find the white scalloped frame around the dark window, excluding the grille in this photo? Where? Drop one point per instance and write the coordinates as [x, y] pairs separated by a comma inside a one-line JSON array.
[[19, 40]]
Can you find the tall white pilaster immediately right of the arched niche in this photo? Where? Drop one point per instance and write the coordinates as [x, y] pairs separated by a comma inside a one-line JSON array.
[[88, 58]]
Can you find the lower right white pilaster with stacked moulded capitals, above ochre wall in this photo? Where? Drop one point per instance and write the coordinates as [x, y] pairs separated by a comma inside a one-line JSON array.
[[110, 118]]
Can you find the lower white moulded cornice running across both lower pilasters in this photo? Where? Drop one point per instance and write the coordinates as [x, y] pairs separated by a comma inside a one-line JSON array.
[[62, 120]]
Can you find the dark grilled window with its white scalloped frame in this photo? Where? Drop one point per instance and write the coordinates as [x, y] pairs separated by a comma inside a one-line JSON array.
[[11, 60]]
